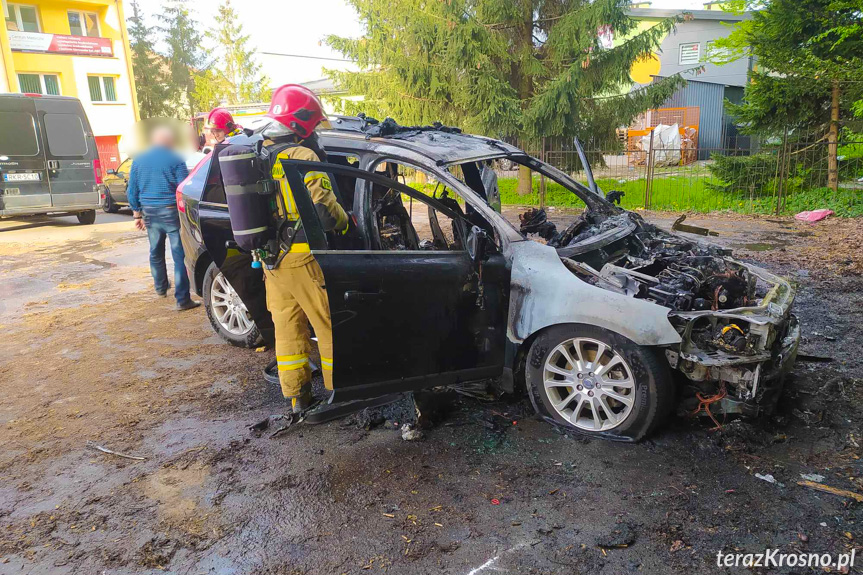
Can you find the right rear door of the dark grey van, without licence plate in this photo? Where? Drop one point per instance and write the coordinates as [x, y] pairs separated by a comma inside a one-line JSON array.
[[69, 151]]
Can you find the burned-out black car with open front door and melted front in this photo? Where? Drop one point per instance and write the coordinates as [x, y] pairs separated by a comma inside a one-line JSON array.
[[607, 324]]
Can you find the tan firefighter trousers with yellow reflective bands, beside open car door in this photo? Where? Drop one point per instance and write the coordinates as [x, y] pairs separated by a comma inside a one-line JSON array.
[[297, 296]]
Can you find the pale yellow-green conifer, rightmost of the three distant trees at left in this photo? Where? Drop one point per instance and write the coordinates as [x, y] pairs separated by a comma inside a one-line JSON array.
[[235, 77]]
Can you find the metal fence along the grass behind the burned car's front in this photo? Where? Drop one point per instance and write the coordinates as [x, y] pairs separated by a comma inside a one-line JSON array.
[[781, 178]]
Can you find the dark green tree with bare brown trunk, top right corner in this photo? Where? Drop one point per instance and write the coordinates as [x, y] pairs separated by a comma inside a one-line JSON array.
[[810, 69]]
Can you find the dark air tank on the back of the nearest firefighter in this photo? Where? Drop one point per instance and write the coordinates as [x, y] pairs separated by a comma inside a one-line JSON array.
[[249, 190]]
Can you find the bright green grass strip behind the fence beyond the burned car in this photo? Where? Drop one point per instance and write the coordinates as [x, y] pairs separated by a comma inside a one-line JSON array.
[[678, 193]]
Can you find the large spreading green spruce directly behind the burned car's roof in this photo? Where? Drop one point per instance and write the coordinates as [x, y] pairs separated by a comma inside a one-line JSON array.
[[518, 69]]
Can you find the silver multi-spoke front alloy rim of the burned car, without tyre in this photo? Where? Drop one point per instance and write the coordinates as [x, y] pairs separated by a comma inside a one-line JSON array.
[[589, 384]]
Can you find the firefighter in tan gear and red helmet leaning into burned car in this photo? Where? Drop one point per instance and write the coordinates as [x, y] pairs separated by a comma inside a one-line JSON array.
[[296, 295]]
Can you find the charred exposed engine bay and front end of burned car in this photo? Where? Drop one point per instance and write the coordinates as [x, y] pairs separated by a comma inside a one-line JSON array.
[[734, 319]]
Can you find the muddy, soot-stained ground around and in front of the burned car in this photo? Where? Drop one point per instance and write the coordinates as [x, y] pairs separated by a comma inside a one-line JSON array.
[[91, 355]]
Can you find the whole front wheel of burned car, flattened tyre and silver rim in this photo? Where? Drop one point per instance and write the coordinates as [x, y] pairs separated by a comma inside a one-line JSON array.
[[623, 395]]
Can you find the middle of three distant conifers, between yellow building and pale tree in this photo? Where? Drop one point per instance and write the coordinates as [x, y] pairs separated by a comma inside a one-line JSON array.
[[185, 55]]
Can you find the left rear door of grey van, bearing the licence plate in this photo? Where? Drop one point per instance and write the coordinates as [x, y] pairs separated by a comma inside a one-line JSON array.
[[24, 183]]
